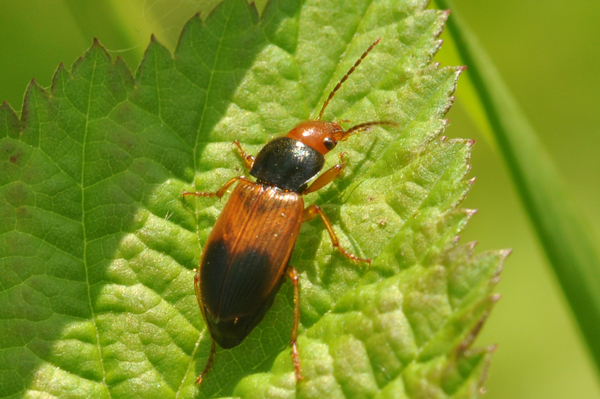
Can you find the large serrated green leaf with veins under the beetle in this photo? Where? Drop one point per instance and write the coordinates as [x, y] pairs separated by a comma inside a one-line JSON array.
[[98, 246]]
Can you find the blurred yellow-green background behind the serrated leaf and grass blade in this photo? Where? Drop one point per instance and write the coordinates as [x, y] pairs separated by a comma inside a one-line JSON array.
[[548, 54]]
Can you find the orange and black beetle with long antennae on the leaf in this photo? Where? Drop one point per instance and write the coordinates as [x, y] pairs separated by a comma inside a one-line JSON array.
[[245, 259]]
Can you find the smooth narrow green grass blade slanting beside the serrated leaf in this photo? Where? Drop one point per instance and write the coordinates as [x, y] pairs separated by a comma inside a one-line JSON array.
[[567, 240]]
